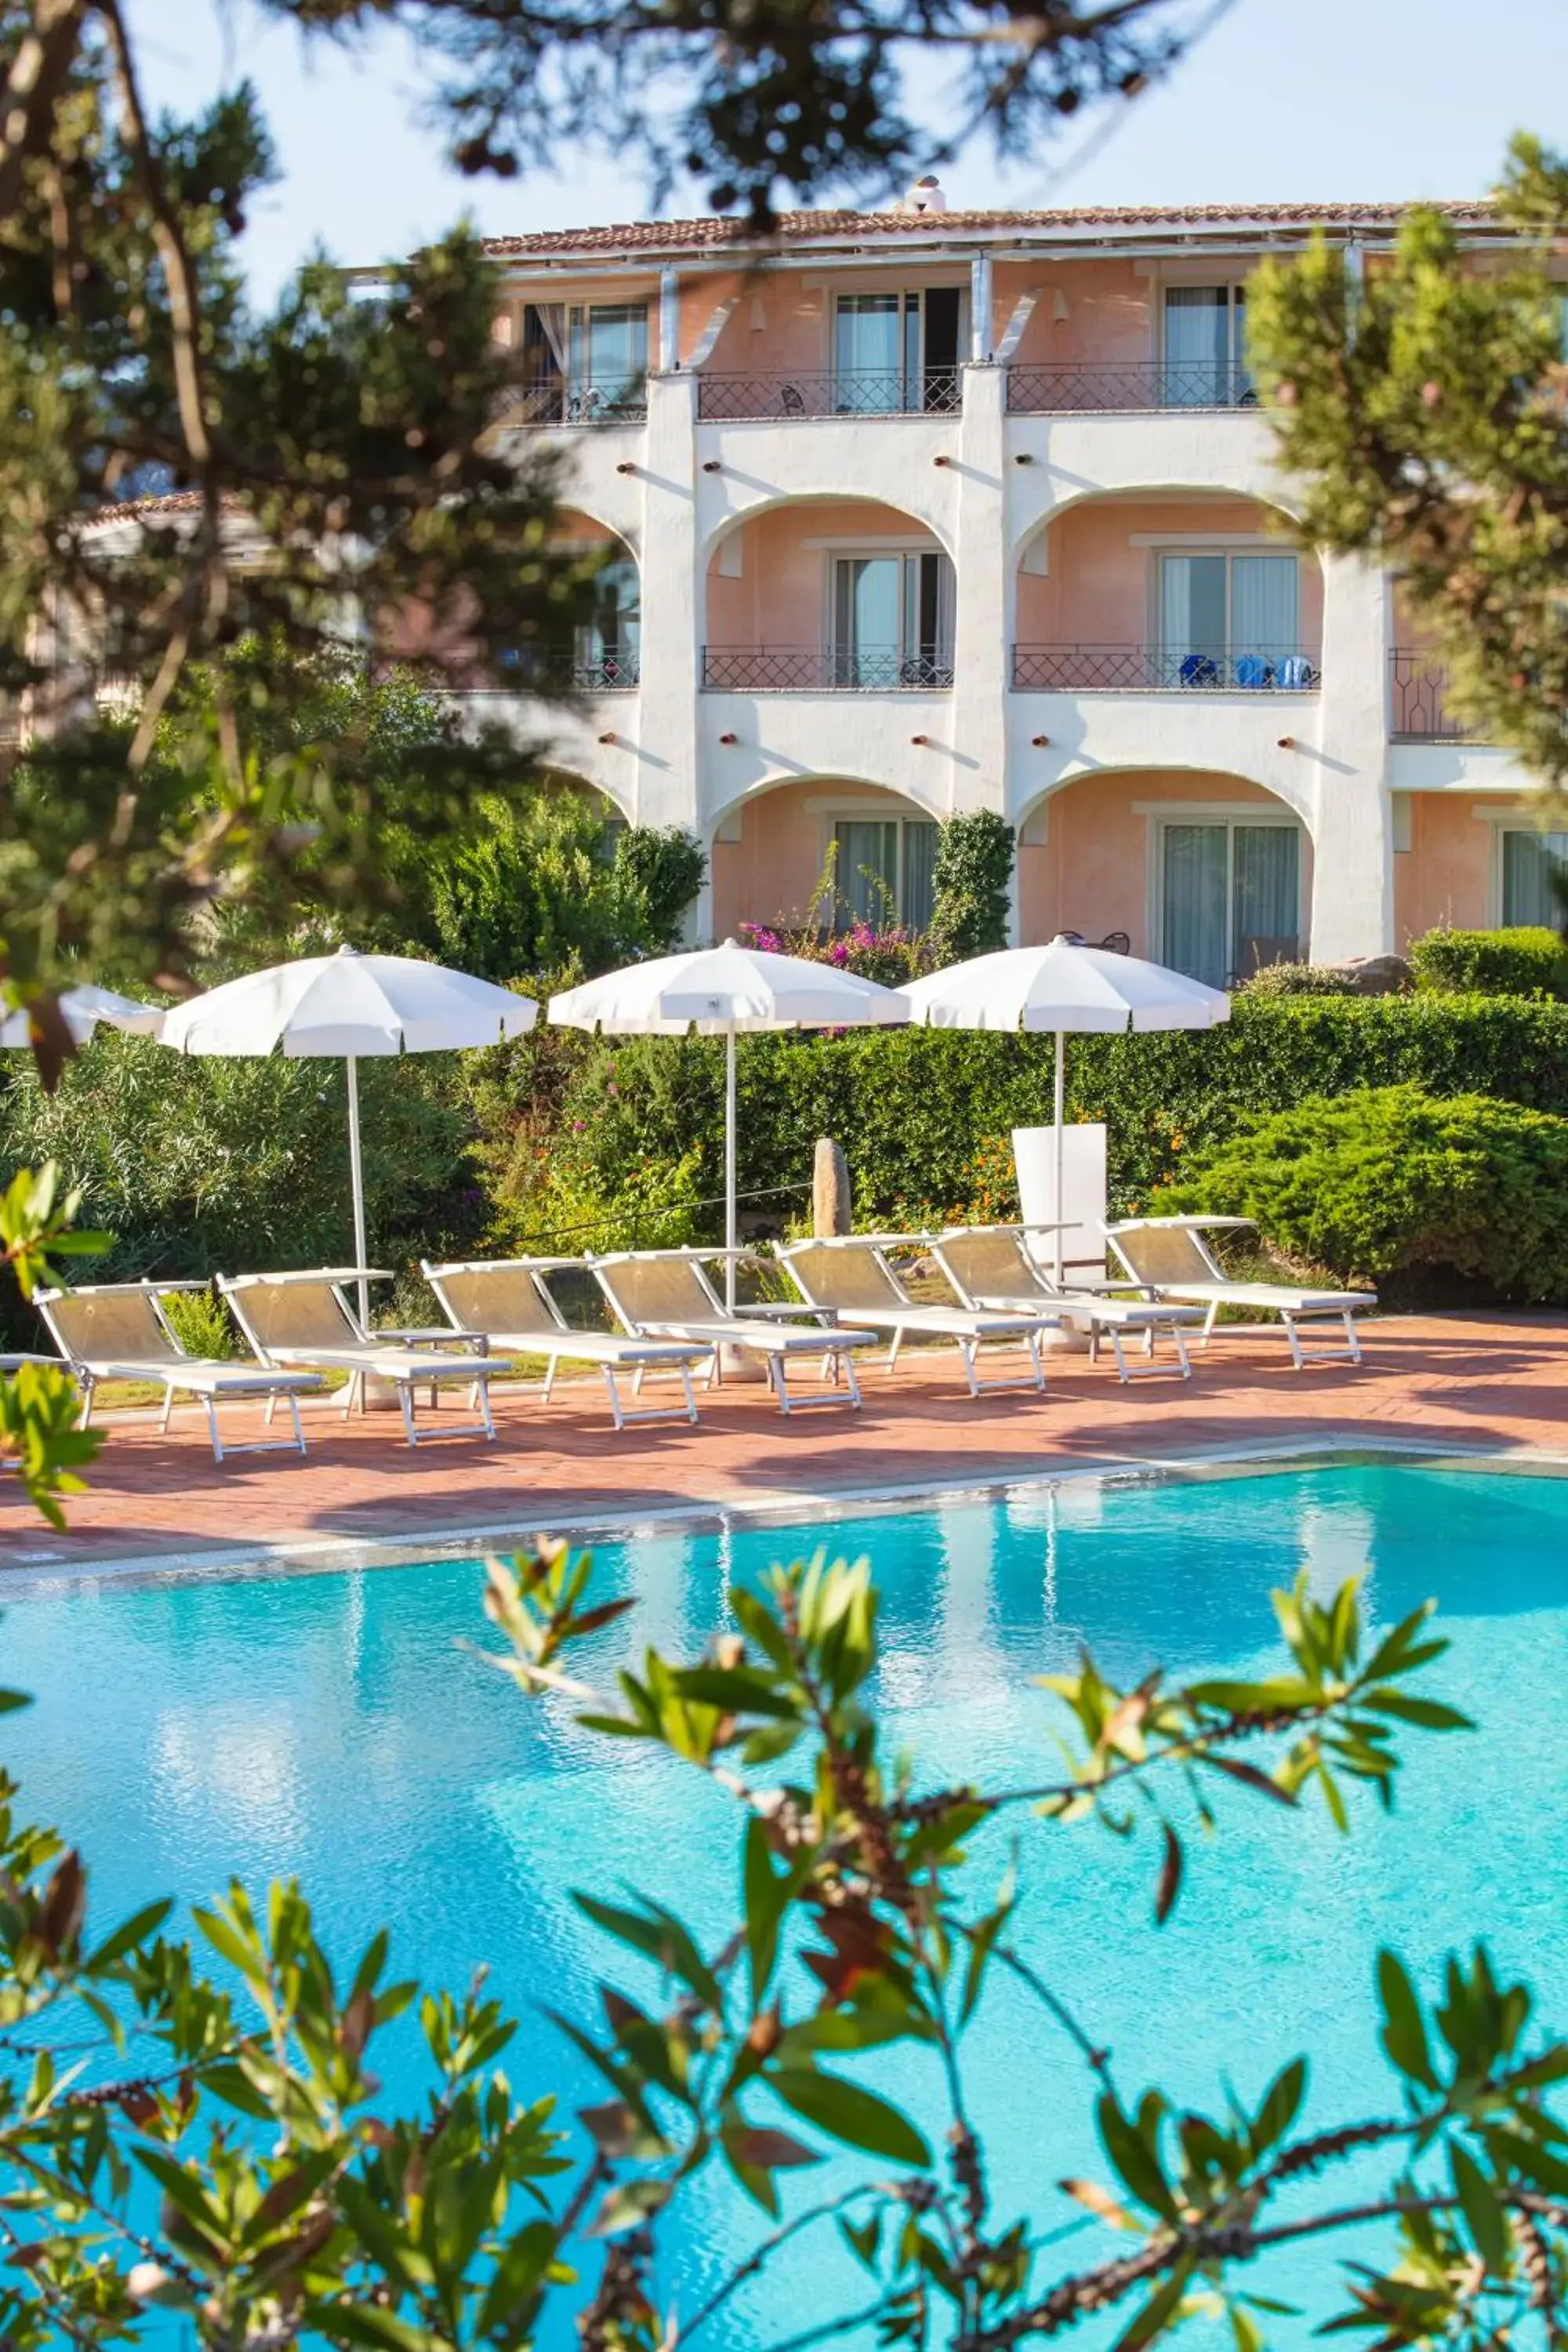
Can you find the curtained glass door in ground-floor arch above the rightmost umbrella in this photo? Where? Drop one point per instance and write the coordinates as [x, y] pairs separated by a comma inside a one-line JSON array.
[[1228, 900]]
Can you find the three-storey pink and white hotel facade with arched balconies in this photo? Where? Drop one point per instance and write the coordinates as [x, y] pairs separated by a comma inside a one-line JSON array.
[[930, 512]]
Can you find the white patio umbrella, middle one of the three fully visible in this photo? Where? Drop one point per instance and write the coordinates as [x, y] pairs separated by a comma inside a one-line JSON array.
[[728, 994]]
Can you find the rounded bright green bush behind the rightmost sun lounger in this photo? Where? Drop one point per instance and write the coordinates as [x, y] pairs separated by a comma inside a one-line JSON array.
[[1402, 1189]]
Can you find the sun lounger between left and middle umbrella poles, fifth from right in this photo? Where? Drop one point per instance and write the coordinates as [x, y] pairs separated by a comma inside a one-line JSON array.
[[511, 1304]]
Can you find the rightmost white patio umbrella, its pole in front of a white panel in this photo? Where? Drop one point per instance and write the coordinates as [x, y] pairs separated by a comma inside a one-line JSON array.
[[1068, 989]]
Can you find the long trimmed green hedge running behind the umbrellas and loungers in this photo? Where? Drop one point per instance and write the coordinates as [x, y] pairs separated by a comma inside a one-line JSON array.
[[916, 1109]]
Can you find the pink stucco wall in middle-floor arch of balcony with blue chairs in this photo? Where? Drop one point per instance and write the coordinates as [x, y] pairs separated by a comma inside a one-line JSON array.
[[1101, 587]]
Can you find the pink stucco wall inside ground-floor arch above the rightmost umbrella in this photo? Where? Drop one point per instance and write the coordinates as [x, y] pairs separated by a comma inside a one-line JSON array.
[[1092, 874]]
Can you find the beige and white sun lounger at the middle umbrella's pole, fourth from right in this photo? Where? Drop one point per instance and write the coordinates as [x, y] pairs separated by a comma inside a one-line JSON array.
[[666, 1295]]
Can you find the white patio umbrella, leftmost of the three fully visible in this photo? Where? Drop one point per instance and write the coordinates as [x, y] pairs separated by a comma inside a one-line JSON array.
[[349, 1008]]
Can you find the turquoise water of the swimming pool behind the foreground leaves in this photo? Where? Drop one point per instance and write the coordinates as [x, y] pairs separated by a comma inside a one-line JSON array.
[[333, 1728]]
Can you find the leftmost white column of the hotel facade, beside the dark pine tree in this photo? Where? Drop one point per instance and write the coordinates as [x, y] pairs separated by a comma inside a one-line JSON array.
[[671, 610]]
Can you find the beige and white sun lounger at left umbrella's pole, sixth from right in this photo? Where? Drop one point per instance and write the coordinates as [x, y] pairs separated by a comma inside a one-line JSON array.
[[307, 1321]]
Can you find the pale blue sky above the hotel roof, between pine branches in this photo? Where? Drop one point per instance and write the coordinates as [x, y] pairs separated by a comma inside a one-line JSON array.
[[1332, 100]]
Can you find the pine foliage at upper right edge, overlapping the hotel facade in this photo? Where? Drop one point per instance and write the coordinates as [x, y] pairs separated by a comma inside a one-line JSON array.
[[1423, 410]]
